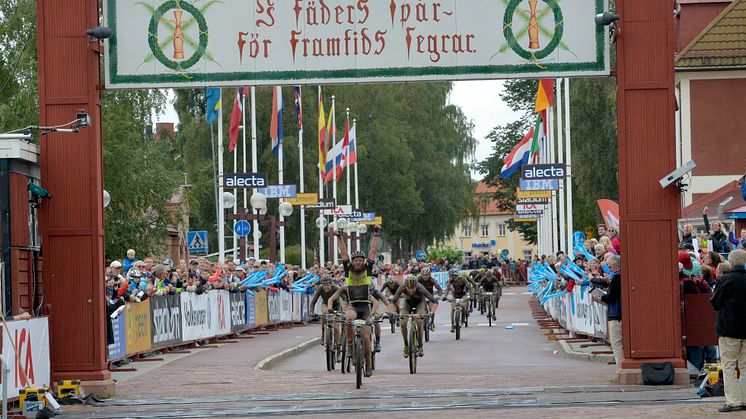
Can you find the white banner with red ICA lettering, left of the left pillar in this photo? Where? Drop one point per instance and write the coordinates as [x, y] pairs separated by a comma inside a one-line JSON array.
[[30, 360]]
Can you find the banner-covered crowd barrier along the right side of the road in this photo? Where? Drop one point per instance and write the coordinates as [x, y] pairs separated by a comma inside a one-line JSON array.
[[577, 312]]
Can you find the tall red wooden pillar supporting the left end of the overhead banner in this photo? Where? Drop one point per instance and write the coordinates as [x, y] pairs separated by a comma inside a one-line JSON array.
[[71, 169]]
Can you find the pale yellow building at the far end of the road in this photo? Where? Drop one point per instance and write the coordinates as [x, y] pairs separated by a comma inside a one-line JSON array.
[[489, 234]]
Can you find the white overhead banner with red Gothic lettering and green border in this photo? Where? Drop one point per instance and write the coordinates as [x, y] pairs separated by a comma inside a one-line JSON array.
[[174, 43]]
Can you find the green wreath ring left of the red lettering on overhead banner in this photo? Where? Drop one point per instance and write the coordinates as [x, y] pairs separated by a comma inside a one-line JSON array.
[[153, 35]]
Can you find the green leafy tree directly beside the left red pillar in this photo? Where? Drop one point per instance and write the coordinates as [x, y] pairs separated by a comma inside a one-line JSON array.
[[140, 173]]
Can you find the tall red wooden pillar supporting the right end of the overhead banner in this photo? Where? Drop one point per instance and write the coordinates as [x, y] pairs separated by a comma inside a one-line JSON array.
[[646, 108]]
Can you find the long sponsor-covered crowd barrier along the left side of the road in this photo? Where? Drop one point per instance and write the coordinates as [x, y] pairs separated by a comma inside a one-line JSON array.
[[167, 321]]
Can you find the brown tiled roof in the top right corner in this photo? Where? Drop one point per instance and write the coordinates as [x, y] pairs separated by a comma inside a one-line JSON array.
[[722, 44]]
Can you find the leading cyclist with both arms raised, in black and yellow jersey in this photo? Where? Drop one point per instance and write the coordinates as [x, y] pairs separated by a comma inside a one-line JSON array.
[[358, 274]]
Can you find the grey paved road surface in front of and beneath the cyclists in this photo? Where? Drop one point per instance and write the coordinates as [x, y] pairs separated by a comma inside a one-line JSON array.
[[492, 371]]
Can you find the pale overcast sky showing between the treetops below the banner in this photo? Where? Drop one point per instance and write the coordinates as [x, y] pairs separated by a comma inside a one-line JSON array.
[[479, 100]]
